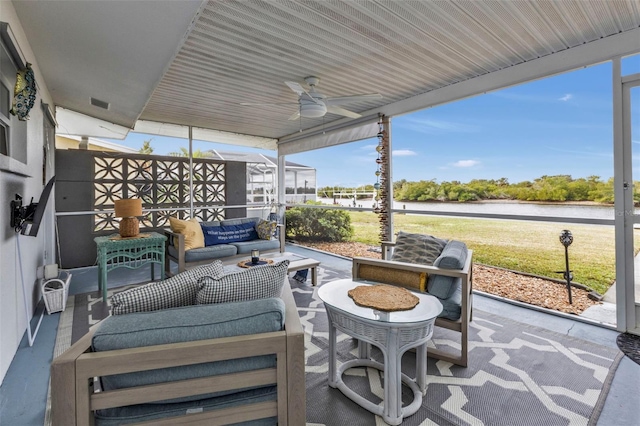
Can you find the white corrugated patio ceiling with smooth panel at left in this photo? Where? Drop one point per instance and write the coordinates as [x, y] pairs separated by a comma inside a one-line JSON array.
[[134, 54]]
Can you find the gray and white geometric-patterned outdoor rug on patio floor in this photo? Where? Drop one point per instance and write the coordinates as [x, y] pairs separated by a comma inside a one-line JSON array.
[[518, 374]]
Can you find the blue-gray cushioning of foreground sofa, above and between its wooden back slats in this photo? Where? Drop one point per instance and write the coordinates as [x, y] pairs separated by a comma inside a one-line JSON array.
[[186, 324]]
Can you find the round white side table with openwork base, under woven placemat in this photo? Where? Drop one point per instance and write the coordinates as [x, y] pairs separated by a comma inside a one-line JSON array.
[[393, 332]]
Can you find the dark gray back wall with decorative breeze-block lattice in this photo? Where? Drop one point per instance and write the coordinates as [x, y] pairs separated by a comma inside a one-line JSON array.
[[90, 181]]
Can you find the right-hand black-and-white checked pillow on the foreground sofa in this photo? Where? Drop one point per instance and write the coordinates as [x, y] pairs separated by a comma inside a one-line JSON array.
[[257, 282]]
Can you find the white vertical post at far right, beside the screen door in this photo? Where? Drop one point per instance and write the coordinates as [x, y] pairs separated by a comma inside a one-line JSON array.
[[622, 172]]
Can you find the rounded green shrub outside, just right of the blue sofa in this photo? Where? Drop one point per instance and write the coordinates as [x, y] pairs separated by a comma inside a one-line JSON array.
[[318, 224]]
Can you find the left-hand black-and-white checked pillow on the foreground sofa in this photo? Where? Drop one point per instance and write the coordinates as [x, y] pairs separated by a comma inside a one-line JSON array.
[[179, 290]]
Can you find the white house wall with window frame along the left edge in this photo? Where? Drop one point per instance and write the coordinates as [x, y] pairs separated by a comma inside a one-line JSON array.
[[25, 179]]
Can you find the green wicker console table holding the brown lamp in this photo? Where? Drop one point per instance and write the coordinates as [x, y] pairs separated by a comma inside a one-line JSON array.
[[115, 252]]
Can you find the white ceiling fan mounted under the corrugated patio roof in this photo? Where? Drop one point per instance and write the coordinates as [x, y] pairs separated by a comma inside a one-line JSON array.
[[313, 104]]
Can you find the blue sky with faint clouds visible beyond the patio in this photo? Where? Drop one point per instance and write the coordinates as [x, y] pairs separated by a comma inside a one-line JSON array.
[[558, 125]]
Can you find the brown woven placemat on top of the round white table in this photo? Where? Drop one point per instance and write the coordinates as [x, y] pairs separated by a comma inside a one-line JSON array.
[[383, 297]]
